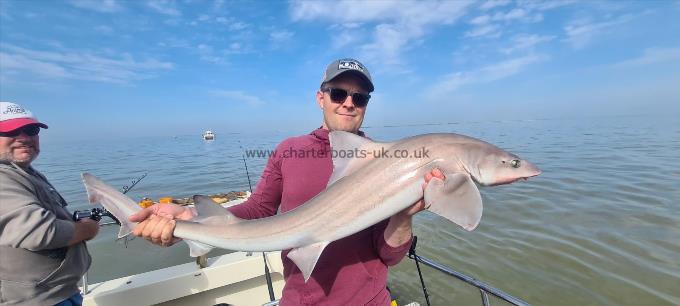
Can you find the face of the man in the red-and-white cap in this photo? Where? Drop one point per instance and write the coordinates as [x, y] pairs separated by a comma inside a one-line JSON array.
[[21, 149]]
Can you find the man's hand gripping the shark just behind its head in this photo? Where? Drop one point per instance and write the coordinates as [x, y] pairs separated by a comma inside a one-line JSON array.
[[398, 229]]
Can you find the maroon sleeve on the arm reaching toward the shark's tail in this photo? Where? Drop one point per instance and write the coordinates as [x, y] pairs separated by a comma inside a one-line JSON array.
[[266, 198]]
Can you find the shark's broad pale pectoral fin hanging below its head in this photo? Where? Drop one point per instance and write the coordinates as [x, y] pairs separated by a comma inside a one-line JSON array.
[[456, 198]]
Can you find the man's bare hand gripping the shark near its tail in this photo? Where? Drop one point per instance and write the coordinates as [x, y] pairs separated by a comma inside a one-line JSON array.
[[157, 222]]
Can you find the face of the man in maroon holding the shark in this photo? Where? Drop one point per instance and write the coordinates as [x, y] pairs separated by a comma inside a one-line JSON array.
[[344, 115]]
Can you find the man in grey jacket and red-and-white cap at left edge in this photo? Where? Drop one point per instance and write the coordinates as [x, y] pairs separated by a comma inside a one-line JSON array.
[[42, 250]]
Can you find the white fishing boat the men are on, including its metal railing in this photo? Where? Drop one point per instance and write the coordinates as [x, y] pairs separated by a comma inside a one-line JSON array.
[[238, 278]]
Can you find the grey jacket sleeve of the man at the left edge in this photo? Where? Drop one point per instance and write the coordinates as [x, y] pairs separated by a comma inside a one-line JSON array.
[[27, 224]]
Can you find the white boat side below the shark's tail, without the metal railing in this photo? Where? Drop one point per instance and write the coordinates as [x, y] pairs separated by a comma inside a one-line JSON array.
[[235, 279]]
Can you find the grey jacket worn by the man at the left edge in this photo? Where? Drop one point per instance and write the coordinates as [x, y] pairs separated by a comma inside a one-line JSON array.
[[37, 267]]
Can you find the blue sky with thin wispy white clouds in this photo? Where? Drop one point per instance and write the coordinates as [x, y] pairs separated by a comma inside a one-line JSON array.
[[164, 68]]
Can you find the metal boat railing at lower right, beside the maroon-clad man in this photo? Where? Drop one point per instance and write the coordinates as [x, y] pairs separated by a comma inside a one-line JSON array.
[[484, 288]]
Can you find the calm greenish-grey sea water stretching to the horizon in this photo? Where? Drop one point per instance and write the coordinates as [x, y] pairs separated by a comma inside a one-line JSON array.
[[598, 227]]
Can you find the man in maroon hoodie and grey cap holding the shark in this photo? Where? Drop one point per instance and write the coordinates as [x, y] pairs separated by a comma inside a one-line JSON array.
[[352, 270]]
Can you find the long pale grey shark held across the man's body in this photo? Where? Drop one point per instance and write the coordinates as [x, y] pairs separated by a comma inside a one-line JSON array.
[[371, 181]]
